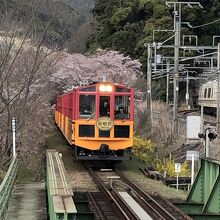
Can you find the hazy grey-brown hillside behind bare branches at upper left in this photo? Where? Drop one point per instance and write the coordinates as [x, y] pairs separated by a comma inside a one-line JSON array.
[[64, 18]]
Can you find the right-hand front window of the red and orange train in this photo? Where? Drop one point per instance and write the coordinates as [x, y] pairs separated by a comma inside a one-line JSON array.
[[122, 107]]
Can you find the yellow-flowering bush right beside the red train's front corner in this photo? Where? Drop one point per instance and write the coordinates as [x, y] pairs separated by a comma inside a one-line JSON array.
[[143, 149]]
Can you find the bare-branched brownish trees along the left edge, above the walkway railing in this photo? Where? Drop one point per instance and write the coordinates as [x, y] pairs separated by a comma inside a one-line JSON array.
[[25, 89]]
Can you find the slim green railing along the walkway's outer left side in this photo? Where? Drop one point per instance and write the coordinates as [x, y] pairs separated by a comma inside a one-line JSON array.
[[6, 187]]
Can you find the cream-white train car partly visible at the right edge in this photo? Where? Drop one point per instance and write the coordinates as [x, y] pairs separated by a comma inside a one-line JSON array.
[[208, 96]]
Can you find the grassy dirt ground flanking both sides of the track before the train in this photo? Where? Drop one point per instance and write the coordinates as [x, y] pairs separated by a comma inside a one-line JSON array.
[[80, 180]]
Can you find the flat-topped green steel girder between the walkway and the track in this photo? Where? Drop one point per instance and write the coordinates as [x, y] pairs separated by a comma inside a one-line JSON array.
[[60, 201]]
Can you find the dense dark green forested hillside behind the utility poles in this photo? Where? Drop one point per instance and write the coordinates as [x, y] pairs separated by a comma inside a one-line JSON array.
[[127, 25]]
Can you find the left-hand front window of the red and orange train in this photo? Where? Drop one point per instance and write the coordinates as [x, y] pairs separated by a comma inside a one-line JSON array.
[[87, 106]]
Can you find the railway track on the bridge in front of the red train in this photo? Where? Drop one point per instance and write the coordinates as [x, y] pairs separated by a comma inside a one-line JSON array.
[[127, 201]]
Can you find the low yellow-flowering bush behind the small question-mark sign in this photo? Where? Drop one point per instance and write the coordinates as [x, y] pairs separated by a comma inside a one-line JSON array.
[[168, 165]]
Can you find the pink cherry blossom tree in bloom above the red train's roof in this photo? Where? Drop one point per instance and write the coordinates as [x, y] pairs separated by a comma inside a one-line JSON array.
[[73, 69]]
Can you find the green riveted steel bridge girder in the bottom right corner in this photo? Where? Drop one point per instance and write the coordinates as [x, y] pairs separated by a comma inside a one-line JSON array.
[[203, 201]]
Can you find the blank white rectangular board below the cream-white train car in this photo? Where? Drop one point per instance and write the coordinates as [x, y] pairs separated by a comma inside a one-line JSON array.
[[193, 125]]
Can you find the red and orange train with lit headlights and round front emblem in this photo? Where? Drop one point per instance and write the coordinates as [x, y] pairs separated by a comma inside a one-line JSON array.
[[98, 120]]
